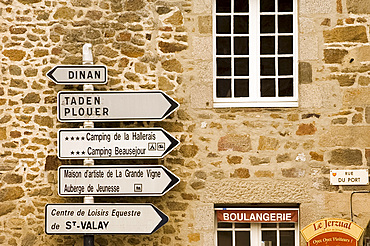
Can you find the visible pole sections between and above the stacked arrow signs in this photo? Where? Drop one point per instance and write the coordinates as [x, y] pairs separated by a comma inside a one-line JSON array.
[[87, 59]]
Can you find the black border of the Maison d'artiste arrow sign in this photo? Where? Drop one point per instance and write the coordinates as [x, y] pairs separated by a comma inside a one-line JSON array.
[[174, 180]]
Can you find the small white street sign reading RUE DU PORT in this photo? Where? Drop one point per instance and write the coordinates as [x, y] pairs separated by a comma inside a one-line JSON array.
[[349, 177]]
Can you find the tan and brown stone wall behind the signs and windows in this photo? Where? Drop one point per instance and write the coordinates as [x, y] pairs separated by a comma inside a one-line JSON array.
[[226, 156]]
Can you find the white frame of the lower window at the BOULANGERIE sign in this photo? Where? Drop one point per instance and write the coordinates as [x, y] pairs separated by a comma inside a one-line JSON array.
[[256, 230]]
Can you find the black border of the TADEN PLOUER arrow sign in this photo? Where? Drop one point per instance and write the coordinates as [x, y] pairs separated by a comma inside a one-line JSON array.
[[173, 106]]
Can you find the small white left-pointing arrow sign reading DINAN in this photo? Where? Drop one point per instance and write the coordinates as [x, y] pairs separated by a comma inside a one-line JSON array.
[[78, 74]]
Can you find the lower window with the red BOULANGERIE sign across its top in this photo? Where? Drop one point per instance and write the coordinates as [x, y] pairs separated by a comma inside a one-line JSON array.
[[257, 227]]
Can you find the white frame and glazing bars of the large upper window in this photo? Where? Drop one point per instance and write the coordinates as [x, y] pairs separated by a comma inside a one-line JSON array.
[[254, 67]]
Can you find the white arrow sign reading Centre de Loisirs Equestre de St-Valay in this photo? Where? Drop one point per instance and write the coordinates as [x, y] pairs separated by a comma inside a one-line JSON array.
[[103, 218]]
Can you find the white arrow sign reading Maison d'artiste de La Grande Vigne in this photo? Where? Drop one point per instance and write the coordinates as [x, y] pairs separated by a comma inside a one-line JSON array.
[[126, 180]]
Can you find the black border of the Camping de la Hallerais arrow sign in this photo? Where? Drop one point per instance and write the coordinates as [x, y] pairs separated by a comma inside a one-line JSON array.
[[174, 142]]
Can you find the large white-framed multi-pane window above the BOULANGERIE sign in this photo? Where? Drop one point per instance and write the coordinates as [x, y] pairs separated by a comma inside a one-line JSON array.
[[255, 57]]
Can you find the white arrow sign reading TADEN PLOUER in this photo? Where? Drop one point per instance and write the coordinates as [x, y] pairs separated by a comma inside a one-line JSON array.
[[114, 106]]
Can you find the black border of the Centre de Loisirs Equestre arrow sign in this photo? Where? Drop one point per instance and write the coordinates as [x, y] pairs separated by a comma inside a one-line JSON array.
[[164, 217]]
